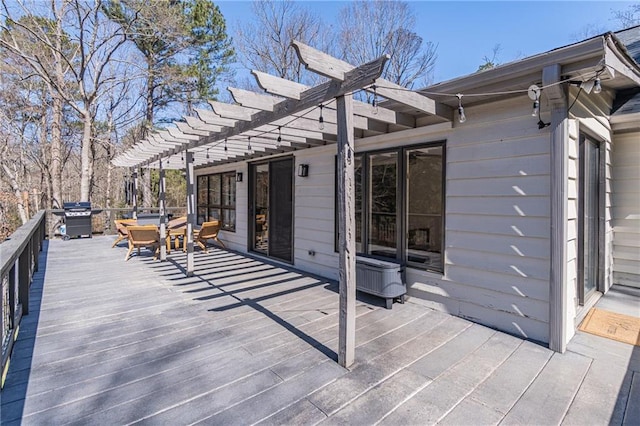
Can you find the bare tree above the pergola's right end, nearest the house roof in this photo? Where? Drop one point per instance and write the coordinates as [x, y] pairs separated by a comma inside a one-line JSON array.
[[370, 29]]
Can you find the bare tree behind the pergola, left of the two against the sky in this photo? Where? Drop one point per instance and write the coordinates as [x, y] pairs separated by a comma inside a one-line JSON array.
[[265, 43]]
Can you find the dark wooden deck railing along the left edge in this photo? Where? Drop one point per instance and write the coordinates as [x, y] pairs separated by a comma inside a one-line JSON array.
[[19, 258]]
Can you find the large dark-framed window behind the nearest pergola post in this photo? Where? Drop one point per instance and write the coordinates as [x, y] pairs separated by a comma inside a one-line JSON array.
[[400, 218]]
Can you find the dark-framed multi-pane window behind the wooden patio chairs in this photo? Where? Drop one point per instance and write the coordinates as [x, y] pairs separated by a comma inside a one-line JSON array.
[[217, 199]]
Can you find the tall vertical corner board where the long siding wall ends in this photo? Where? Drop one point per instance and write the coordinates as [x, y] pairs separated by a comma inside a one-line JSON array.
[[558, 287]]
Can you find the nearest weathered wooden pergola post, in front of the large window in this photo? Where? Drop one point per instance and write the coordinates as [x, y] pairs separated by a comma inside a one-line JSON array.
[[346, 226]]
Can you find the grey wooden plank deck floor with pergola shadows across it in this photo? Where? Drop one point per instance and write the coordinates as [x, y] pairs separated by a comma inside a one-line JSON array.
[[246, 342]]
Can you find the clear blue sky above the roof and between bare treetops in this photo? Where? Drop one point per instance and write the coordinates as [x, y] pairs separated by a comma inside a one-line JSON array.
[[465, 32]]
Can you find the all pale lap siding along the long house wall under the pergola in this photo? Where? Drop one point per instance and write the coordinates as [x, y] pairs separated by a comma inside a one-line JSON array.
[[496, 218]]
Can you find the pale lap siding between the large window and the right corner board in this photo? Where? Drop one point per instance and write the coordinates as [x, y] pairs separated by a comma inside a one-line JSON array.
[[497, 223]]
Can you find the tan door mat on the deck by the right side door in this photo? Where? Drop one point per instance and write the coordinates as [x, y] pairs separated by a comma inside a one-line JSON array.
[[622, 328]]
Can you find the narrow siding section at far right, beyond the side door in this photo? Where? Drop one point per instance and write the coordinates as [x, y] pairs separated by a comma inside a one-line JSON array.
[[626, 209]]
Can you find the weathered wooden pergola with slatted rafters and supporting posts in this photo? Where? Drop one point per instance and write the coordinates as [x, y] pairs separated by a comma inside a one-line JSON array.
[[288, 119]]
